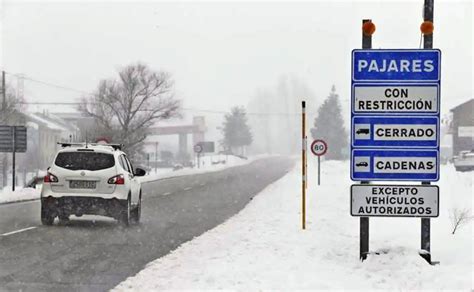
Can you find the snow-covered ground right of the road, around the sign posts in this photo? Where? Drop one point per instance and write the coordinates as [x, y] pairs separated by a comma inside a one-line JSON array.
[[263, 247]]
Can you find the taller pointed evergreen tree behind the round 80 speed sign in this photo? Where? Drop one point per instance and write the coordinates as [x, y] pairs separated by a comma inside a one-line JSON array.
[[329, 126]]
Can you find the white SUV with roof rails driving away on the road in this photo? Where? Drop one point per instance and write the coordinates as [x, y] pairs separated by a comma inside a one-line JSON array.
[[91, 179]]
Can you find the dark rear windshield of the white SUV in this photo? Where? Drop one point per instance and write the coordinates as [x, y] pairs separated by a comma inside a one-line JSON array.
[[84, 160]]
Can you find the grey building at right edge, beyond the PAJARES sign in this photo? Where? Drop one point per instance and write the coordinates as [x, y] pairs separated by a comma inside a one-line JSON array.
[[462, 127]]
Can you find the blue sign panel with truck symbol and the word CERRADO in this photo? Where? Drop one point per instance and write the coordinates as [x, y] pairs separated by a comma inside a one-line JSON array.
[[395, 132]]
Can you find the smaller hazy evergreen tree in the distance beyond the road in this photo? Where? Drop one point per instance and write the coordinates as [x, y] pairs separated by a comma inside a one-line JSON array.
[[236, 130]]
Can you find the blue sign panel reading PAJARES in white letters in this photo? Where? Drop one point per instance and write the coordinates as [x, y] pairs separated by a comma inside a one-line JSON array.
[[396, 65]]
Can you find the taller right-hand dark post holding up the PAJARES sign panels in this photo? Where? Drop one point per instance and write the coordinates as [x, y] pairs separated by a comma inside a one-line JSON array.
[[428, 12]]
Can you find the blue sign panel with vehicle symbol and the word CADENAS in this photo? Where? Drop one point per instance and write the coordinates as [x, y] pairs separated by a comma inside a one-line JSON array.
[[406, 165]]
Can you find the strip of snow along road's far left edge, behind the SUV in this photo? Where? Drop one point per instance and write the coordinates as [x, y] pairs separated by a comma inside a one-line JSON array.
[[22, 194]]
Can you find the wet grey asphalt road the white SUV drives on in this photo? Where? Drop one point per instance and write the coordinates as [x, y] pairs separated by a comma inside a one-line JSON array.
[[97, 253]]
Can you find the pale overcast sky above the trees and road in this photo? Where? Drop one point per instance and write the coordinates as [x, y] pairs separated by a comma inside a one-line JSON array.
[[221, 53]]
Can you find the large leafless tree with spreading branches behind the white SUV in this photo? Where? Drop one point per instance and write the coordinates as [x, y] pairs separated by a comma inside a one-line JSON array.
[[125, 108]]
